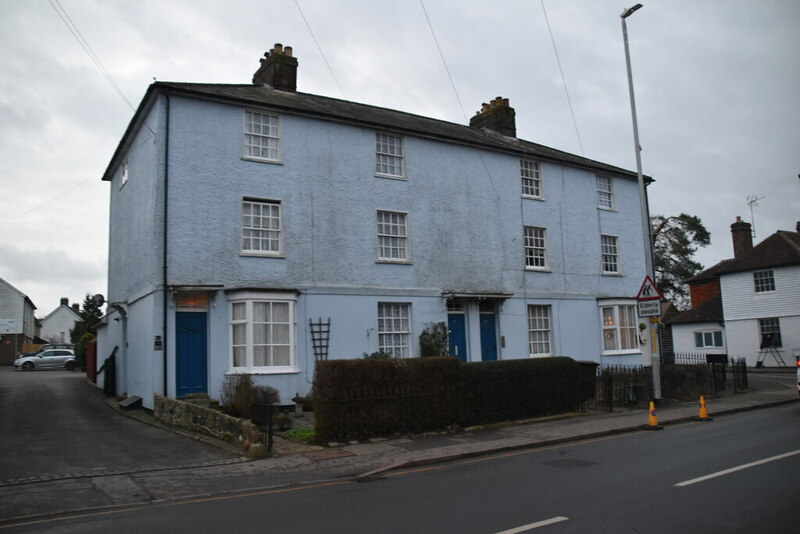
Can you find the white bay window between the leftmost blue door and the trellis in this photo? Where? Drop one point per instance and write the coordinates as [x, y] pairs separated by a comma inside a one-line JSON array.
[[243, 332]]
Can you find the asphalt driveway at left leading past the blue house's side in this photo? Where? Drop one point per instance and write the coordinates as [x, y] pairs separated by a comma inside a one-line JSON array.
[[55, 423]]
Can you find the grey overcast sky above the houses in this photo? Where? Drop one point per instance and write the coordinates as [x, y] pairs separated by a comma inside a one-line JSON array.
[[717, 85]]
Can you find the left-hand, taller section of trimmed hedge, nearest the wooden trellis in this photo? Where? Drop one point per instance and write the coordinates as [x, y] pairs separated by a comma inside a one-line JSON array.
[[357, 399]]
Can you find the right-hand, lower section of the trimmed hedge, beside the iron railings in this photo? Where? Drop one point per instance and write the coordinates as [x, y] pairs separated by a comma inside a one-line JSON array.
[[510, 390]]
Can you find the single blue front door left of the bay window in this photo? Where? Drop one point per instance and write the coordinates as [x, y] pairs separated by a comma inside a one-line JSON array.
[[191, 353]]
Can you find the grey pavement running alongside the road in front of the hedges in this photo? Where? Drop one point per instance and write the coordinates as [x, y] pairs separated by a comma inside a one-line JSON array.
[[22, 501]]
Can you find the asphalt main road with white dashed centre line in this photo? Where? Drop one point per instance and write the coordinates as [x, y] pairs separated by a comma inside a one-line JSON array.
[[738, 473]]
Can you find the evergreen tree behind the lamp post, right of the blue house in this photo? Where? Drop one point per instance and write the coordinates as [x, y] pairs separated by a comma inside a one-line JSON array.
[[675, 241]]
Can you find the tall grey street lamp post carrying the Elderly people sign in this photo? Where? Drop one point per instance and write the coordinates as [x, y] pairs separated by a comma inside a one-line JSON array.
[[646, 233]]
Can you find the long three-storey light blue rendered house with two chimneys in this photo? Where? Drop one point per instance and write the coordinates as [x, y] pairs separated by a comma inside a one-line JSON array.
[[243, 217]]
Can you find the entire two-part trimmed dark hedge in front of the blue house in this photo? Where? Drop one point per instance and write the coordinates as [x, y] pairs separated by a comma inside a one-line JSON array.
[[357, 399]]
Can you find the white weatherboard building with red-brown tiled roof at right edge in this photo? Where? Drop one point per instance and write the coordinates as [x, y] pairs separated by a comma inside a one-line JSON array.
[[747, 306]]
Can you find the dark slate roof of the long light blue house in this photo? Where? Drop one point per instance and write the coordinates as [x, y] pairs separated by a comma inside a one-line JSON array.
[[333, 109]]
